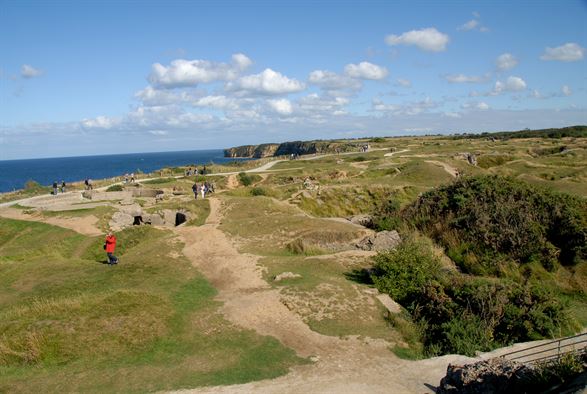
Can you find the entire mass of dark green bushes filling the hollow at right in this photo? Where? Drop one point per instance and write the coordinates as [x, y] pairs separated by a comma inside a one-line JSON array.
[[522, 255]]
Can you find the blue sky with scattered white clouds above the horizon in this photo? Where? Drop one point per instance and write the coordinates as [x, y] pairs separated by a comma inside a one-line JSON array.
[[98, 77]]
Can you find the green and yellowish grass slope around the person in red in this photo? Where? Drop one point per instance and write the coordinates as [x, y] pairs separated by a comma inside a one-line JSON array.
[[71, 323]]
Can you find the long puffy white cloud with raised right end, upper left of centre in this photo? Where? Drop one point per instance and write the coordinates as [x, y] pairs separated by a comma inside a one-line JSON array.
[[183, 73]]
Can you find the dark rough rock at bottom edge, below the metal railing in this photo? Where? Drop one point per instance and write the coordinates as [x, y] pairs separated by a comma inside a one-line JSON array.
[[495, 375]]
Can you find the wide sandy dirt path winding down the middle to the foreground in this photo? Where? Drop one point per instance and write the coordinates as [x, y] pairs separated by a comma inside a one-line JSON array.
[[340, 364]]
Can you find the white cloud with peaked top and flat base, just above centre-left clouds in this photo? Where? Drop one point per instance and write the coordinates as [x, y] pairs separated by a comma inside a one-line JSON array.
[[266, 82]]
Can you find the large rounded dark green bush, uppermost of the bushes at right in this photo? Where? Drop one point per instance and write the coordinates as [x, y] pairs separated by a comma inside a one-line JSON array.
[[491, 219]]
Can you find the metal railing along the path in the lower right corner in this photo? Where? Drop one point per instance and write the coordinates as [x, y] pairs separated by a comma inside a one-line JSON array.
[[549, 351]]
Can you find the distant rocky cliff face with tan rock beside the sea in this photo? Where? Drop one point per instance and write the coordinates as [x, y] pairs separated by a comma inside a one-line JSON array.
[[288, 148]]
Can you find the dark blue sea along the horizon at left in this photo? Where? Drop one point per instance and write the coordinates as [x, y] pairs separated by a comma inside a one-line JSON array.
[[15, 173]]
